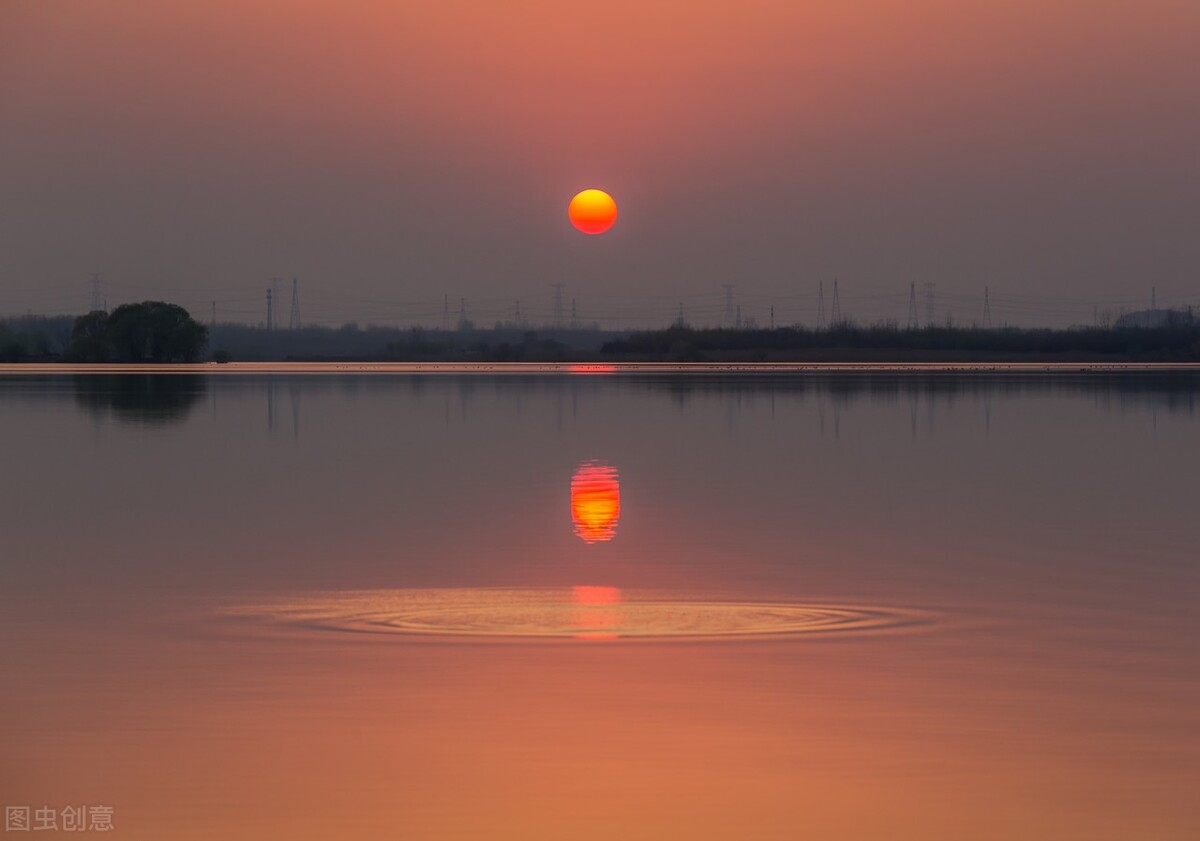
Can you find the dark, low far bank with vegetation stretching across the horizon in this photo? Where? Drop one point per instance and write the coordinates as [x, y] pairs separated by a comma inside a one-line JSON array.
[[1178, 340]]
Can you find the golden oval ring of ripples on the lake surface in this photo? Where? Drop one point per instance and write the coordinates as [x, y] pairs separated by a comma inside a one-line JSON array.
[[557, 615]]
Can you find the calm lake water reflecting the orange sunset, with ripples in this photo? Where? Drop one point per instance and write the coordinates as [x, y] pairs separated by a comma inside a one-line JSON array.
[[603, 608]]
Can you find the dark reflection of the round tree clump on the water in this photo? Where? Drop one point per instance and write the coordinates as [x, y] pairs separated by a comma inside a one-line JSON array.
[[140, 399]]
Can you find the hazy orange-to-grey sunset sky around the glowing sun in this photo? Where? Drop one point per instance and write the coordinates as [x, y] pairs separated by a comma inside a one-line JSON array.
[[398, 157]]
